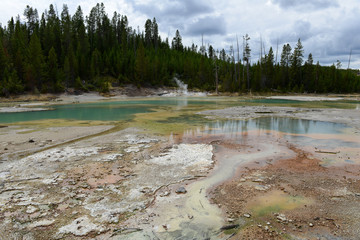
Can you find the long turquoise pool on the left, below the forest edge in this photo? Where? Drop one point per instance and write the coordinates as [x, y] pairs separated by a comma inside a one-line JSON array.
[[101, 111]]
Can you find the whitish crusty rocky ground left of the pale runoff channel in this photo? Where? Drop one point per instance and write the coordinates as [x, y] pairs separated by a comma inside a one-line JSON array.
[[87, 186]]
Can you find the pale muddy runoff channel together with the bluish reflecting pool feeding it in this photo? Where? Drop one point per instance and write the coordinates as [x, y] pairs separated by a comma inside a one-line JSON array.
[[235, 143]]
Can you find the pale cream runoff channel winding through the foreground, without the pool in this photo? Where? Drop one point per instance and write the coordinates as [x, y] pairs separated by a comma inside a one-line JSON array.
[[191, 215]]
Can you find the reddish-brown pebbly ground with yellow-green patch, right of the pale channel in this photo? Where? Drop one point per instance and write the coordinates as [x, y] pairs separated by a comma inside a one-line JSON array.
[[295, 198]]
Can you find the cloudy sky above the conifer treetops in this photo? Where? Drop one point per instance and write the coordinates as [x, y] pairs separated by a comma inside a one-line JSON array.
[[329, 29]]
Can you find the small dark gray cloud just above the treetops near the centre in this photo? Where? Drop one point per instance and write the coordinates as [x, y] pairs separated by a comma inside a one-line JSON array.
[[207, 26]]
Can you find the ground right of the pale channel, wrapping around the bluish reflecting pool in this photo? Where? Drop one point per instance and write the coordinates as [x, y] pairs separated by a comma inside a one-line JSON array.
[[300, 197]]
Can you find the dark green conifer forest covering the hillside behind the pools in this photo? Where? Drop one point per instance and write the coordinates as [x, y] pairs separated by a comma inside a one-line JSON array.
[[52, 53]]
